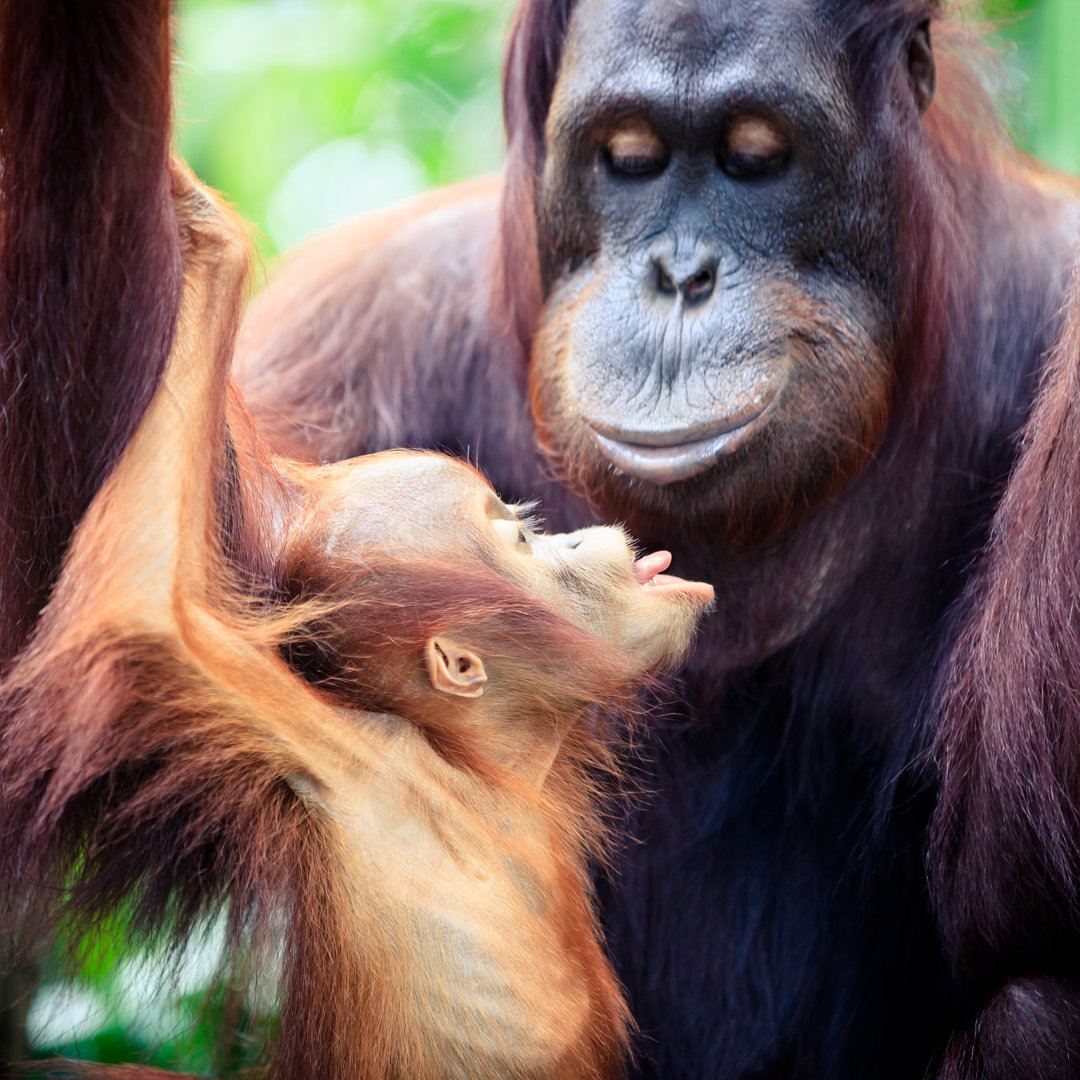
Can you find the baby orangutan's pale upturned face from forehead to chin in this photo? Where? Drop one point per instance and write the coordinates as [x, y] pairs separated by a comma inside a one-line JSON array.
[[439, 509]]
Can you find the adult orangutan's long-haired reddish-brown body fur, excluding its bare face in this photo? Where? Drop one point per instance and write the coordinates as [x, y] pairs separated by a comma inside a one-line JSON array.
[[865, 665]]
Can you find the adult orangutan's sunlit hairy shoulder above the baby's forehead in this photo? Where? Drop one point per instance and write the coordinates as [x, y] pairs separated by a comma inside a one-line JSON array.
[[371, 332]]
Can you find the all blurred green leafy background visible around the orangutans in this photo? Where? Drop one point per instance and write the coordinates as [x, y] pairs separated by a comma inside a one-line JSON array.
[[309, 112]]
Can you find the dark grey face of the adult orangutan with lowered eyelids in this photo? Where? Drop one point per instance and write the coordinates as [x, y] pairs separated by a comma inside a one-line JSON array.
[[700, 206]]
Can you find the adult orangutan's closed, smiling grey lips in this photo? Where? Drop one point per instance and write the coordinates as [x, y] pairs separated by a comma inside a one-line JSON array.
[[667, 457]]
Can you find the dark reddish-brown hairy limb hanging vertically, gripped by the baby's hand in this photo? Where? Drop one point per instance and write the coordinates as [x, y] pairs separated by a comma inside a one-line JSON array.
[[91, 144]]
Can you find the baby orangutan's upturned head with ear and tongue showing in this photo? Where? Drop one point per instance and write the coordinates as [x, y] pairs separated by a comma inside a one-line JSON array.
[[455, 613]]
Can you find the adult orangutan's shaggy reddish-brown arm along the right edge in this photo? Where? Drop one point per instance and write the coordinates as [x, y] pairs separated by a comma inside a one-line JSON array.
[[1006, 840]]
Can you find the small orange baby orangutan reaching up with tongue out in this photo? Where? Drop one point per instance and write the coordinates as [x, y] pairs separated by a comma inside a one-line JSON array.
[[361, 704]]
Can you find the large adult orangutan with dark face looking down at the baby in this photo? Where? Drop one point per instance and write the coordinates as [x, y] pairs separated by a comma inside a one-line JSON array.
[[749, 282]]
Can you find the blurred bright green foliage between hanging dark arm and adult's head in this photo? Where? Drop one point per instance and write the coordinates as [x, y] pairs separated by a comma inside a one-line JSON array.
[[309, 112]]
